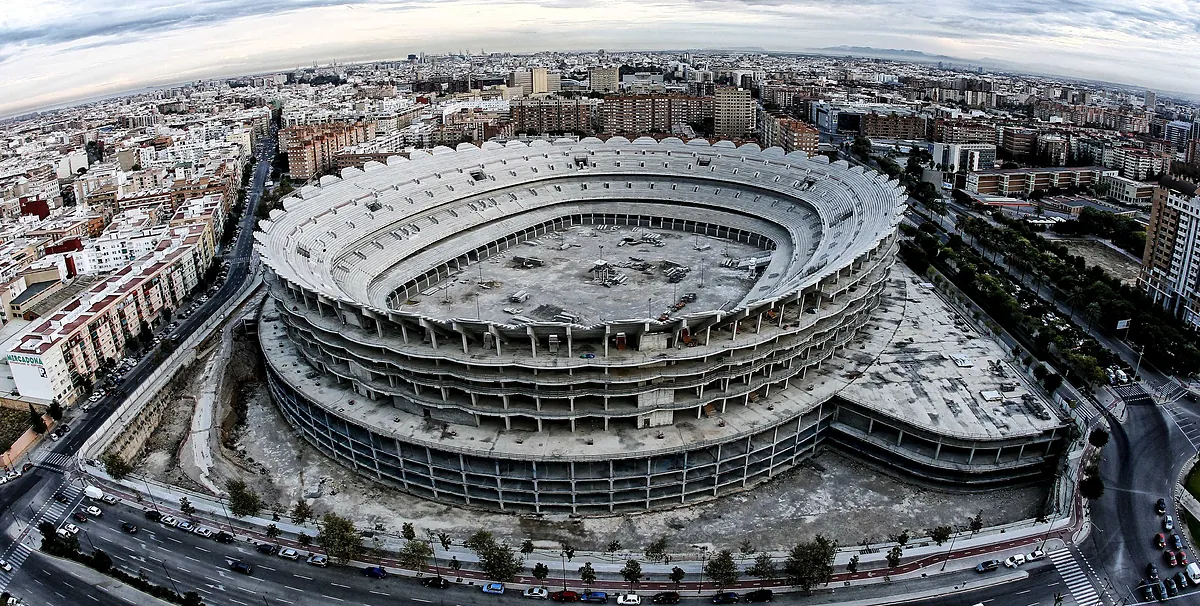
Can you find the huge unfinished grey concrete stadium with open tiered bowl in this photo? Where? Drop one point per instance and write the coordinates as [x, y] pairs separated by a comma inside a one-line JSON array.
[[464, 326]]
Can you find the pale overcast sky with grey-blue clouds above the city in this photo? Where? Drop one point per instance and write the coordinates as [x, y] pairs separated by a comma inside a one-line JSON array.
[[59, 51]]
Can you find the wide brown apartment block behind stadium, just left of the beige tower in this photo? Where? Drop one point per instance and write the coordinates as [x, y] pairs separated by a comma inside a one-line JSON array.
[[647, 115]]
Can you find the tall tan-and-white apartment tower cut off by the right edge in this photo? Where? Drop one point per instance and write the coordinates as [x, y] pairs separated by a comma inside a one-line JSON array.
[[1171, 266]]
